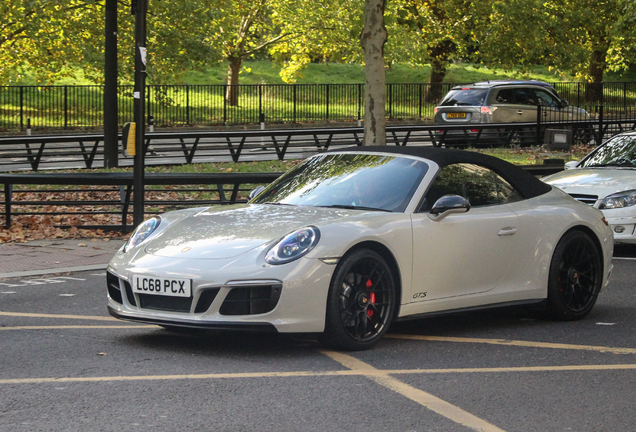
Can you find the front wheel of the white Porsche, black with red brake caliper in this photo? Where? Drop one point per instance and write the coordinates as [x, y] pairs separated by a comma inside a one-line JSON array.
[[361, 302]]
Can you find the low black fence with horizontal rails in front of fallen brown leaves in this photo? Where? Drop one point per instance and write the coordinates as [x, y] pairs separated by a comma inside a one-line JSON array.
[[104, 201]]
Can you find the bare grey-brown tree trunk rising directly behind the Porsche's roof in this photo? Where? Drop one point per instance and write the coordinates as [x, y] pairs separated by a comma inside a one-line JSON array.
[[372, 39]]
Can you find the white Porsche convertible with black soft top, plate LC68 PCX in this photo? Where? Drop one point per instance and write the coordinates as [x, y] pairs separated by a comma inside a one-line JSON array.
[[349, 241]]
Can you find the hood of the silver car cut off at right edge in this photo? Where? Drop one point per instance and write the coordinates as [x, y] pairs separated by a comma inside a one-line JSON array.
[[594, 181]]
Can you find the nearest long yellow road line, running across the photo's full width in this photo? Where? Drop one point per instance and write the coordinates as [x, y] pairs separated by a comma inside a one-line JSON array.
[[350, 372]]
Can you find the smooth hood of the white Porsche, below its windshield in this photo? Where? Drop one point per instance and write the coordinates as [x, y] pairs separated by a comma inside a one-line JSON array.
[[226, 232]]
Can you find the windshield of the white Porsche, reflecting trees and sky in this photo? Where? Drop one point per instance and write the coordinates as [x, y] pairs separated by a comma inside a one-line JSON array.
[[348, 180]]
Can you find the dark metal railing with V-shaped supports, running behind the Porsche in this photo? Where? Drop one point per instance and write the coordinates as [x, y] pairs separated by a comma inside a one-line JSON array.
[[35, 153]]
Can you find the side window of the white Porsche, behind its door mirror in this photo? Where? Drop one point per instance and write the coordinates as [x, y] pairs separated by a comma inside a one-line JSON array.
[[481, 186]]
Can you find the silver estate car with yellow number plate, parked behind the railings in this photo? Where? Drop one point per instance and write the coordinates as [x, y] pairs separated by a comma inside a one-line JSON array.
[[501, 102]]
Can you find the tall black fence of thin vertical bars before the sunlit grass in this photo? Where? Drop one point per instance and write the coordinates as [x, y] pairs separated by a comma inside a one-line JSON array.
[[81, 107]]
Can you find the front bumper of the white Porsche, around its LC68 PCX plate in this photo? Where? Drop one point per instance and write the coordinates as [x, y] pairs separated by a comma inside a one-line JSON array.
[[240, 294]]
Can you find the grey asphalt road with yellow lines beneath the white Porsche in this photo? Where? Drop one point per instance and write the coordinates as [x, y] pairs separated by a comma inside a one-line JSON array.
[[66, 366]]
